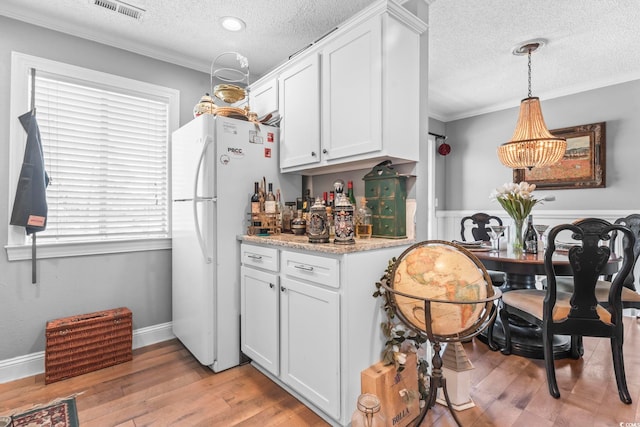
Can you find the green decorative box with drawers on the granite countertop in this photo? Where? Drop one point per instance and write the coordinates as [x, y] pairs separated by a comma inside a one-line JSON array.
[[386, 193]]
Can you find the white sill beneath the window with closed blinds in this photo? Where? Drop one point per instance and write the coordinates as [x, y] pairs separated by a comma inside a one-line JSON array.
[[62, 250]]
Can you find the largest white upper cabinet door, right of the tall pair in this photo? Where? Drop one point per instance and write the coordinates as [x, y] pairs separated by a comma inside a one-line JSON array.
[[352, 93]]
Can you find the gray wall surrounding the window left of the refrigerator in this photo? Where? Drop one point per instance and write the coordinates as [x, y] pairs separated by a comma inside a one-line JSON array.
[[69, 286]]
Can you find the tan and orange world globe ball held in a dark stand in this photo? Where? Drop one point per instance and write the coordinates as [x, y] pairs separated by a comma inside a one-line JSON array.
[[445, 275]]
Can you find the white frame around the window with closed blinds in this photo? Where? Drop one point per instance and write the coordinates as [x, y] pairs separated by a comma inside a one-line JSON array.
[[17, 246]]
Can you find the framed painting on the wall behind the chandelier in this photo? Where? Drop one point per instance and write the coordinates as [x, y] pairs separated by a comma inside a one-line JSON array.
[[583, 164]]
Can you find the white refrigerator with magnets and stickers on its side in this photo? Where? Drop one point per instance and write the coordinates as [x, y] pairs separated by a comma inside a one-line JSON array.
[[214, 164]]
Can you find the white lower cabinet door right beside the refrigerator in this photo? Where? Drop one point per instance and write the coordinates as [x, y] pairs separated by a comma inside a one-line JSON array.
[[259, 299]]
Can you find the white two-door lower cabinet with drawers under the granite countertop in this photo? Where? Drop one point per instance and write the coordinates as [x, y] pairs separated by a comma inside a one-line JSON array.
[[310, 322]]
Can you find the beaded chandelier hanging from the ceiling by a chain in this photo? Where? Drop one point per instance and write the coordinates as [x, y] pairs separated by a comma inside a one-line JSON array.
[[532, 145]]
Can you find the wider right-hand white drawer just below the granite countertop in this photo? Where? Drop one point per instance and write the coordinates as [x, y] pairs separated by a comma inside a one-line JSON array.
[[321, 270]]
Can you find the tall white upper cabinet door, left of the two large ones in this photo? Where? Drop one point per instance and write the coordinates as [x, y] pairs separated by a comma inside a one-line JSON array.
[[299, 98]]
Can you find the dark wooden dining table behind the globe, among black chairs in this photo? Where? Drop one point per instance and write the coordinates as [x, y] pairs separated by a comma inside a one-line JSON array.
[[521, 270]]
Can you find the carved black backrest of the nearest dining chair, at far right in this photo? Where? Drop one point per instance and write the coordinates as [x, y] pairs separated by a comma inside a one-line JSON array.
[[588, 259]]
